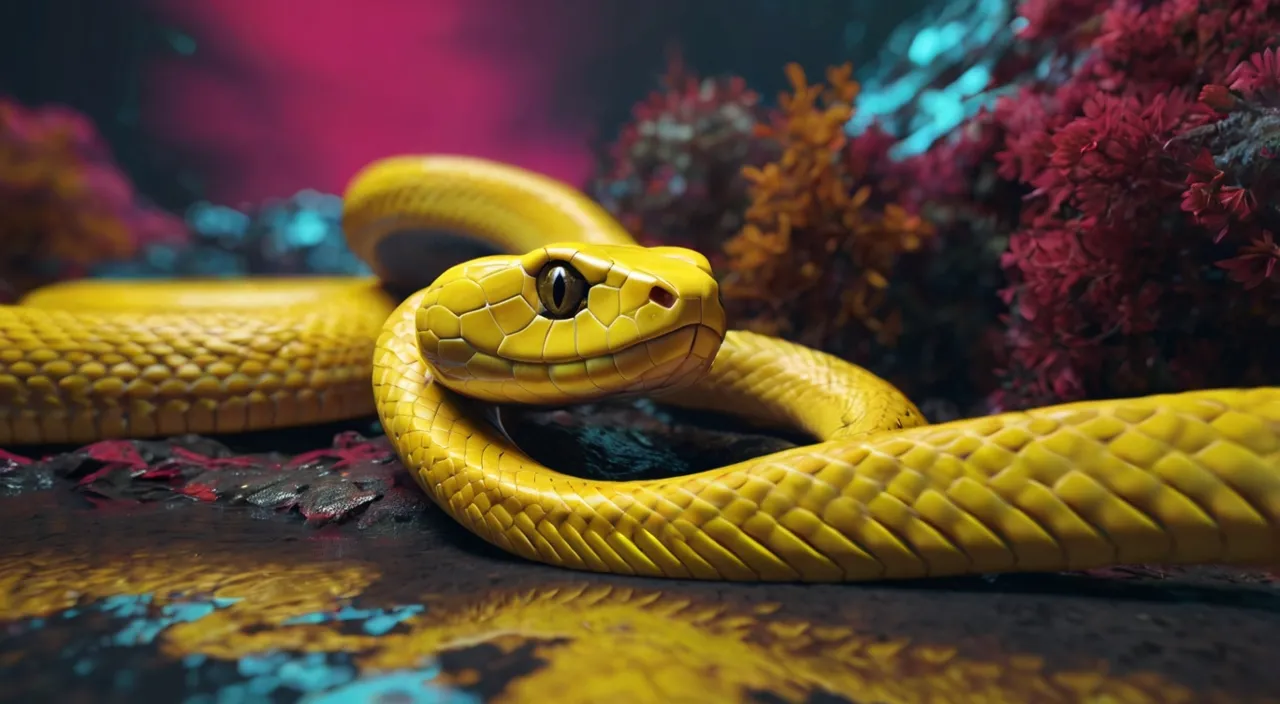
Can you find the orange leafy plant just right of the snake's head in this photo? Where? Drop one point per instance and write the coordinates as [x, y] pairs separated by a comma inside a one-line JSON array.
[[816, 255]]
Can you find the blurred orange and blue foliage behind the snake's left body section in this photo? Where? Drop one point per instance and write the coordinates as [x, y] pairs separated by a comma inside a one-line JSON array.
[[70, 212]]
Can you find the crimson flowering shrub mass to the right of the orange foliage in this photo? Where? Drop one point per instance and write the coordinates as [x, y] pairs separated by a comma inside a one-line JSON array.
[[1119, 186]]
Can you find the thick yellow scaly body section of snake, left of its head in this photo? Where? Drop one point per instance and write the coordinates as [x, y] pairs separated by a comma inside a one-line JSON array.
[[140, 362]]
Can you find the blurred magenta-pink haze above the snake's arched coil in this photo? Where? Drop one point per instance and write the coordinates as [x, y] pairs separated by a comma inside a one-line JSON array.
[[284, 97]]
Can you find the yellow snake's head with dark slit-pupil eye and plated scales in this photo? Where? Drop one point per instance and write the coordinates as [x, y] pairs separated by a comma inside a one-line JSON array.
[[573, 323]]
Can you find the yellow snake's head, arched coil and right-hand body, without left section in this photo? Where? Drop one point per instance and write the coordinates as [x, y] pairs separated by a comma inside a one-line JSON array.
[[1174, 479]]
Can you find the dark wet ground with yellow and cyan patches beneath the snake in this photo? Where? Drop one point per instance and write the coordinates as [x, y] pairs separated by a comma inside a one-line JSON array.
[[136, 573]]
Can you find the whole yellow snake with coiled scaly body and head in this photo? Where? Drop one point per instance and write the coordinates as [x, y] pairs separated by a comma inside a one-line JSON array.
[[570, 309]]
